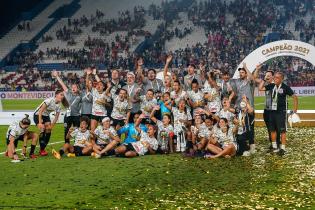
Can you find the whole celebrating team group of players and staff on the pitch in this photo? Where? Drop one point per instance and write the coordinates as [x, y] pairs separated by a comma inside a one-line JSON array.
[[204, 114]]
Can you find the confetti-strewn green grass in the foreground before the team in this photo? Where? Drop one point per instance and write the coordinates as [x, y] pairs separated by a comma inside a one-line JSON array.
[[164, 181]]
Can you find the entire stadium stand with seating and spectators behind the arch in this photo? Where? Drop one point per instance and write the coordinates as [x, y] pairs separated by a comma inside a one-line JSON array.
[[71, 35]]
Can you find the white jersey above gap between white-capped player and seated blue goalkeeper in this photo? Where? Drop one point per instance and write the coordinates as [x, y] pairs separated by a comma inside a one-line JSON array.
[[120, 108]]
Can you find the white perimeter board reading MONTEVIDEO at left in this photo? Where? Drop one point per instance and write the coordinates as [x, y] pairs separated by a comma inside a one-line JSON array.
[[27, 95]]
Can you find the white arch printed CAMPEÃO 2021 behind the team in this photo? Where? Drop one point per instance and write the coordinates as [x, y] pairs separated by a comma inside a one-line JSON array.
[[276, 49]]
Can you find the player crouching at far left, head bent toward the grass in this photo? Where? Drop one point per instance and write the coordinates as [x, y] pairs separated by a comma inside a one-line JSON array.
[[18, 131]]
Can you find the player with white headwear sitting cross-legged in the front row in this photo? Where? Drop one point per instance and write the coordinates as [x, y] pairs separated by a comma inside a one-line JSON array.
[[106, 139]]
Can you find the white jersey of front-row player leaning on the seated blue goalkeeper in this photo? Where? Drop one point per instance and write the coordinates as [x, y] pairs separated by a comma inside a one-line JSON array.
[[141, 147]]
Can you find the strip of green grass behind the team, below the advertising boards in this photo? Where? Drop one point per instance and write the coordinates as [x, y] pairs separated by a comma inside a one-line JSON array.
[[305, 103]]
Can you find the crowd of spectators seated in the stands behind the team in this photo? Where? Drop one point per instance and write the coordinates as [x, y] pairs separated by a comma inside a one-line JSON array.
[[228, 41]]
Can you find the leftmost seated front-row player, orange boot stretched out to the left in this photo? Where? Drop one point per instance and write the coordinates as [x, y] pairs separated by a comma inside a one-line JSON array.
[[82, 144]]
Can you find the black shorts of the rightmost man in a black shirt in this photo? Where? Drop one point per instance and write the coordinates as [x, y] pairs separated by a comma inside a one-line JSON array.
[[278, 121]]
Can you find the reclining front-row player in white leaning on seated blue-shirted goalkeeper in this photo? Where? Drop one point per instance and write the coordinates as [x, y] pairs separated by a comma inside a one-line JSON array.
[[146, 144]]
